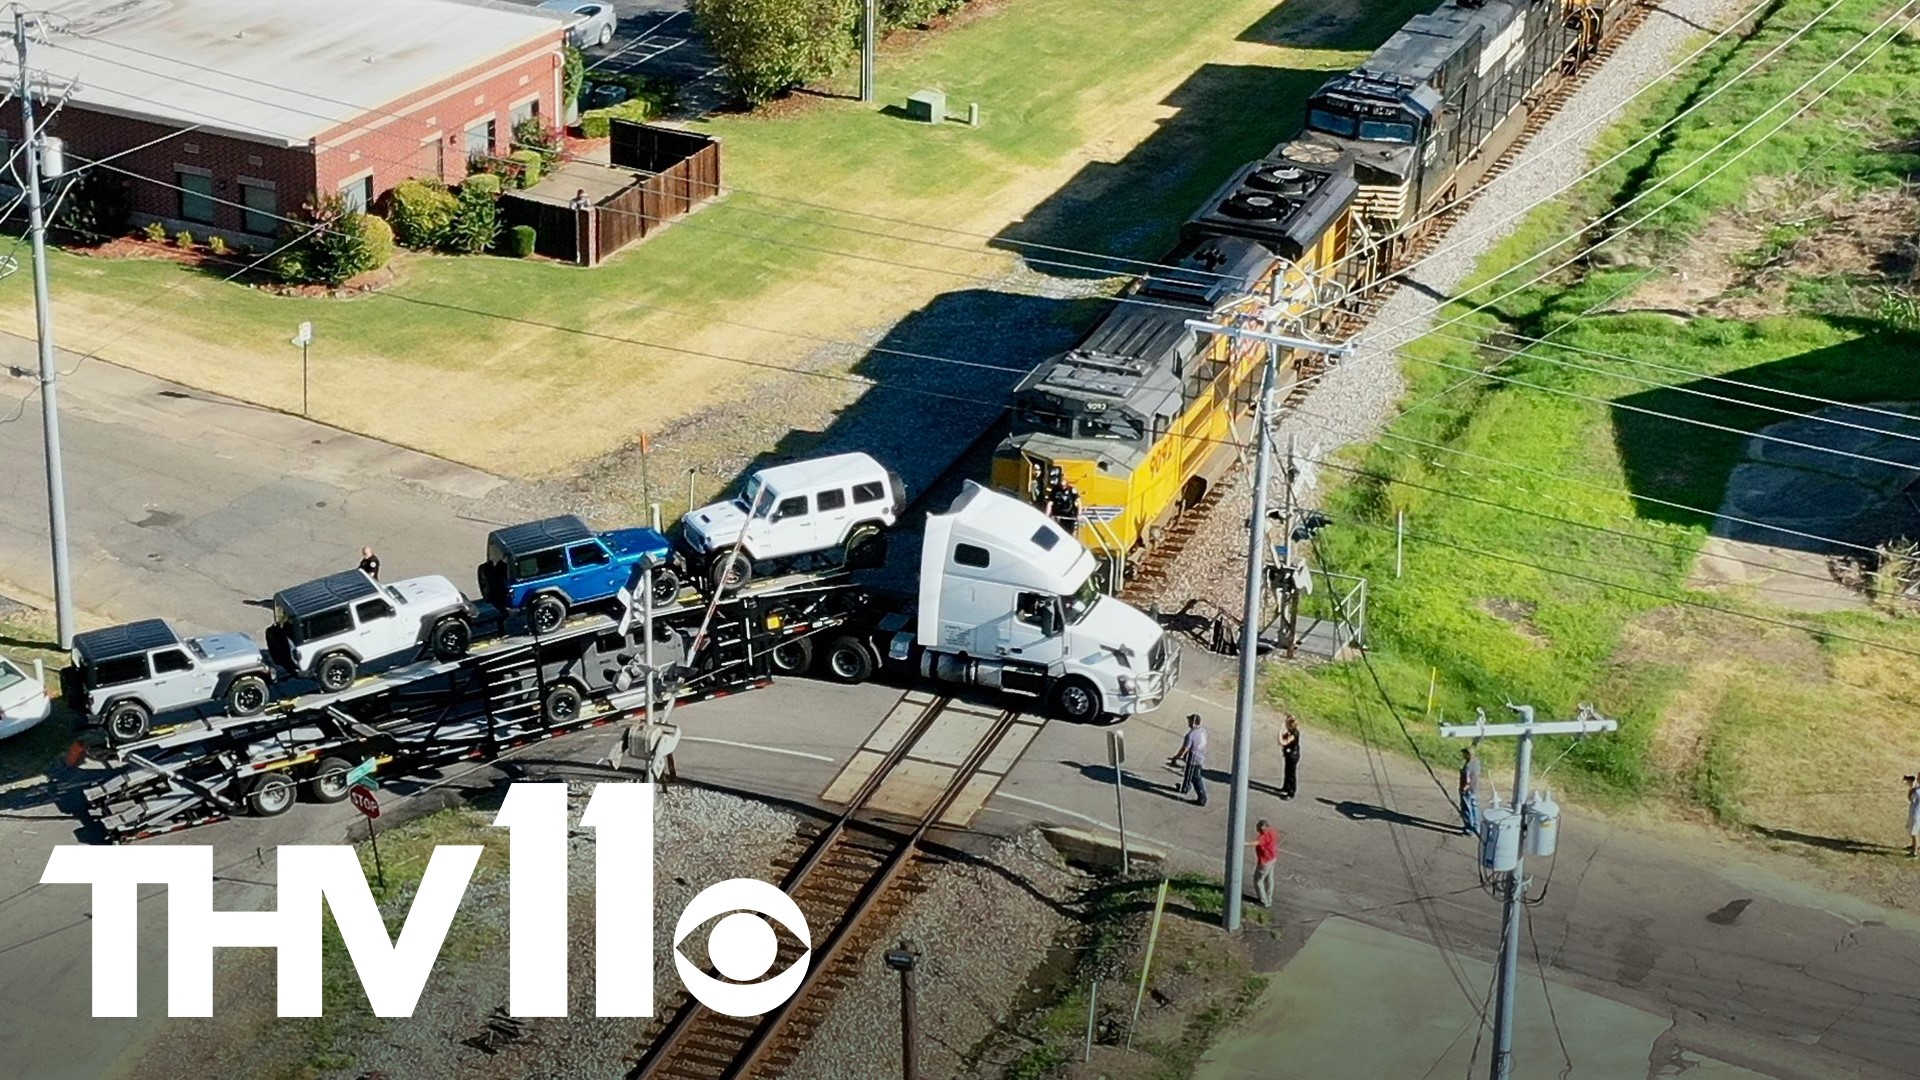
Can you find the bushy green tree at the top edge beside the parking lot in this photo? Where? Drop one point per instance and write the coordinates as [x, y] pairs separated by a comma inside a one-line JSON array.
[[769, 47]]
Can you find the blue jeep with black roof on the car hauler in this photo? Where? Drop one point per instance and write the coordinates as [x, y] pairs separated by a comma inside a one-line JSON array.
[[558, 566]]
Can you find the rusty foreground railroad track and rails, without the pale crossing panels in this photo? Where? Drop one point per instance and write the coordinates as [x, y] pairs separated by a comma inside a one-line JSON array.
[[850, 879]]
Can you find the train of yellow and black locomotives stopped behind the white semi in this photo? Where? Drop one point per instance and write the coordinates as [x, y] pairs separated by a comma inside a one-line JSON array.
[[1145, 414]]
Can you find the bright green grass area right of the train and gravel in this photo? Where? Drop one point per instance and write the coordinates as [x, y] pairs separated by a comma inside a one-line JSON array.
[[1495, 476]]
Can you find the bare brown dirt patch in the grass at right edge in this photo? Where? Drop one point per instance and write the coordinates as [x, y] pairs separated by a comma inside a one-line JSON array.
[[1744, 262]]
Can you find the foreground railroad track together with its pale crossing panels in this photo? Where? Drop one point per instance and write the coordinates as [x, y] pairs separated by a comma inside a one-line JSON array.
[[852, 877]]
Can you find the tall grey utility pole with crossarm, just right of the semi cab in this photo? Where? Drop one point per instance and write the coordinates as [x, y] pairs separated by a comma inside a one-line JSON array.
[[1257, 562]]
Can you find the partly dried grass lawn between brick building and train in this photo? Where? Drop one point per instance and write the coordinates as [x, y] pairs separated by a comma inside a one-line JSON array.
[[1107, 122]]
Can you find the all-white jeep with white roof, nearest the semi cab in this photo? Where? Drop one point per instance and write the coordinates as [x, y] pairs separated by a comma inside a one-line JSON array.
[[809, 516]]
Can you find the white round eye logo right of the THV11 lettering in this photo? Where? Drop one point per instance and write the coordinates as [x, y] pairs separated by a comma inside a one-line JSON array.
[[742, 946]]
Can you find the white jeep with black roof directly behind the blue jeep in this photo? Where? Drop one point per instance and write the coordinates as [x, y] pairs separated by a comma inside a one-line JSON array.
[[331, 627]]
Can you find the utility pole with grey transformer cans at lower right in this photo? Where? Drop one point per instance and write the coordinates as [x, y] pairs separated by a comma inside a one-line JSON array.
[[1504, 843]]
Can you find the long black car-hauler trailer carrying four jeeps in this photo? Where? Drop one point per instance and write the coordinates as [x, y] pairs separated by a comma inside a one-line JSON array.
[[504, 695]]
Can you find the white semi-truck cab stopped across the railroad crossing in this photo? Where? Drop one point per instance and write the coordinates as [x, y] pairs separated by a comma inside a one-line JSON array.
[[1009, 601]]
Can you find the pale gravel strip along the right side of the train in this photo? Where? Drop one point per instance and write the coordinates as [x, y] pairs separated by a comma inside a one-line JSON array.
[[1355, 403]]
